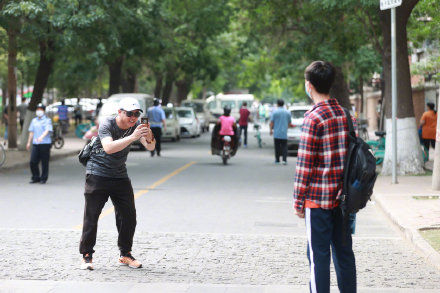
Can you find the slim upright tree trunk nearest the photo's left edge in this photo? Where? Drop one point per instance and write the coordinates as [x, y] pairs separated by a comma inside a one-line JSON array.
[[12, 86]]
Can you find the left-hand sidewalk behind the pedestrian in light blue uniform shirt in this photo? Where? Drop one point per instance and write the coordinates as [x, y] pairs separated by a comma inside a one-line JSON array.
[[19, 159]]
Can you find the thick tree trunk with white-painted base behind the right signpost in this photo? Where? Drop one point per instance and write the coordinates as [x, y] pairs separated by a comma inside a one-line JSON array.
[[409, 156]]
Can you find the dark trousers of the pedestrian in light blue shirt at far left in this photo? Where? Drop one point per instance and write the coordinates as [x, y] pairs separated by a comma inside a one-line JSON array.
[[40, 152]]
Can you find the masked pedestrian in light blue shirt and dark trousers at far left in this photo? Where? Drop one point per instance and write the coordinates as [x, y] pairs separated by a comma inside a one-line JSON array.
[[40, 131]]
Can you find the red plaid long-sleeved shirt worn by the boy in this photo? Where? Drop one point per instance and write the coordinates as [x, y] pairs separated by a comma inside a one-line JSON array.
[[321, 156]]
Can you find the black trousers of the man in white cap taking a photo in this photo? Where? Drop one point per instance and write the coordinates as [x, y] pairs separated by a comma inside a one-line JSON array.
[[97, 191]]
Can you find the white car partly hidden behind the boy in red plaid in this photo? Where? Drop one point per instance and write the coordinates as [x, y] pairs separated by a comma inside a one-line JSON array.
[[294, 133]]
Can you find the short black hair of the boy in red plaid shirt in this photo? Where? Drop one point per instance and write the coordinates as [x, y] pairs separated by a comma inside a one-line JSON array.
[[321, 74]]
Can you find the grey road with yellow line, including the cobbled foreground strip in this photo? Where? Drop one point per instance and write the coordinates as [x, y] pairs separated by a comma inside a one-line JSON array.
[[198, 221]]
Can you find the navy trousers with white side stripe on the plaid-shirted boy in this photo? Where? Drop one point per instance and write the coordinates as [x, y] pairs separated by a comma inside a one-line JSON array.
[[324, 230]]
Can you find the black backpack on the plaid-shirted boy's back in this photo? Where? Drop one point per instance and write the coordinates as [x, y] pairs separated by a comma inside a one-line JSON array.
[[359, 172]]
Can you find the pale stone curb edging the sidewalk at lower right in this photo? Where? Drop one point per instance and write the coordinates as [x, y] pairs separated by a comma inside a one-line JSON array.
[[413, 235]]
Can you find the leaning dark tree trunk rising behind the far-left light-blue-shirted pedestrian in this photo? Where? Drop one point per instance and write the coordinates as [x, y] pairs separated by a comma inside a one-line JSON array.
[[47, 59]]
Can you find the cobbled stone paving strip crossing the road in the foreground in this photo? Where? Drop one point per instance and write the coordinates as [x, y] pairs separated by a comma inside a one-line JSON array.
[[224, 259]]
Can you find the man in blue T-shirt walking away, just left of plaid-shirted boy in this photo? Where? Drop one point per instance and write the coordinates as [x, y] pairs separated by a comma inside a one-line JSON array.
[[280, 120]]
